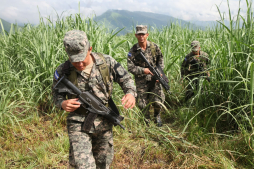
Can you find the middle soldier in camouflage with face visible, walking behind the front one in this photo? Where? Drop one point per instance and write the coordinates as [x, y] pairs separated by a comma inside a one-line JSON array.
[[148, 90]]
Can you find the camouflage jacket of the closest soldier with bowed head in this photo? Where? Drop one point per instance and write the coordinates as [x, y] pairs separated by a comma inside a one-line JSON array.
[[95, 83]]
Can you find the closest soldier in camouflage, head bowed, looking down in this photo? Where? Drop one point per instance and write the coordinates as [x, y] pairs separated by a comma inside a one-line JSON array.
[[93, 149]]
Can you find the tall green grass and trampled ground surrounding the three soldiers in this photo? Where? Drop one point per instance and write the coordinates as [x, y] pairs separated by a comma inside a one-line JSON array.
[[213, 130]]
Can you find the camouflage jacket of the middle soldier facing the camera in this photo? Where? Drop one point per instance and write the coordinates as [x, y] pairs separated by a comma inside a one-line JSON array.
[[137, 66]]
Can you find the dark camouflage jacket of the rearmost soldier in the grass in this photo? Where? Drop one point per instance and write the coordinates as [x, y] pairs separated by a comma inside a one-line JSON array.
[[192, 64]]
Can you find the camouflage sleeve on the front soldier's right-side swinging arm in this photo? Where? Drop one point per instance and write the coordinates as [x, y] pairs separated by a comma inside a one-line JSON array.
[[122, 77]]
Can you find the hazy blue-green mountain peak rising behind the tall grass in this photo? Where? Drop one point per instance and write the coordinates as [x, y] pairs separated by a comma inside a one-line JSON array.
[[122, 18]]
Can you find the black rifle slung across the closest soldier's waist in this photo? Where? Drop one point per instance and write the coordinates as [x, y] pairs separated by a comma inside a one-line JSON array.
[[91, 103]]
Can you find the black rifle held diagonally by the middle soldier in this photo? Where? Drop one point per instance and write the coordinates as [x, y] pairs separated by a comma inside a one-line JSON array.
[[157, 74]]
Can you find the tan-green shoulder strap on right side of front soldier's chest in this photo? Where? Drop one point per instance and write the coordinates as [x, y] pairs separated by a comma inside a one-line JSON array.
[[104, 70]]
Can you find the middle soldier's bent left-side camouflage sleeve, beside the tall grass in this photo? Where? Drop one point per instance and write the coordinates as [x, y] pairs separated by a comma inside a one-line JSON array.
[[135, 70]]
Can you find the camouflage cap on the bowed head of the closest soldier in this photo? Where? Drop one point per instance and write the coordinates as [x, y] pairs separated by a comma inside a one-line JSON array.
[[76, 45]]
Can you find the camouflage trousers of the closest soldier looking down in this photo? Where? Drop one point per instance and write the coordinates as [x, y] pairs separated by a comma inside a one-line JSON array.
[[89, 150]]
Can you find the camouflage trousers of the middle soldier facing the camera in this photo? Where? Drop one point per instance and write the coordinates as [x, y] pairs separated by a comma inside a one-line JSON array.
[[150, 97]]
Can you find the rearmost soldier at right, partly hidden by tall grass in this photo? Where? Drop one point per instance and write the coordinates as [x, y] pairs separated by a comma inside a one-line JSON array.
[[194, 63]]
